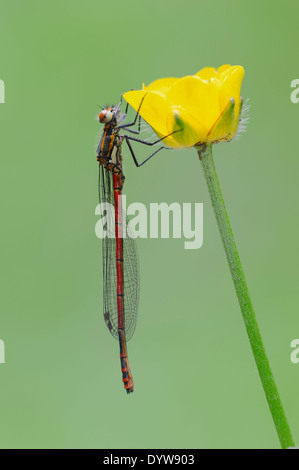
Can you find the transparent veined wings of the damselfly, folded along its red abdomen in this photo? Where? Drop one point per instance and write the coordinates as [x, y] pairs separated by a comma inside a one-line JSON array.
[[131, 272]]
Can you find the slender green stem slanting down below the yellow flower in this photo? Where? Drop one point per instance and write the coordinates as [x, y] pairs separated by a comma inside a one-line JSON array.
[[256, 342]]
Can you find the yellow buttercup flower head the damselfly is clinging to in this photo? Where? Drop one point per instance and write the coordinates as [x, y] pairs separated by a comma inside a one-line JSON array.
[[196, 109]]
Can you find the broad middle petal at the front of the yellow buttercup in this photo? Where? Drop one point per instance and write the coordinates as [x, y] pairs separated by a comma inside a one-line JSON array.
[[198, 97]]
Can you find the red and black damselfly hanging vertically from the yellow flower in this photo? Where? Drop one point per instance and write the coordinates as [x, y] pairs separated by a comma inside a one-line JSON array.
[[120, 266]]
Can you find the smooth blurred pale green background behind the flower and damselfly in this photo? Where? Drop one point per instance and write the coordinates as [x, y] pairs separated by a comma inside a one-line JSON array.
[[196, 383]]
